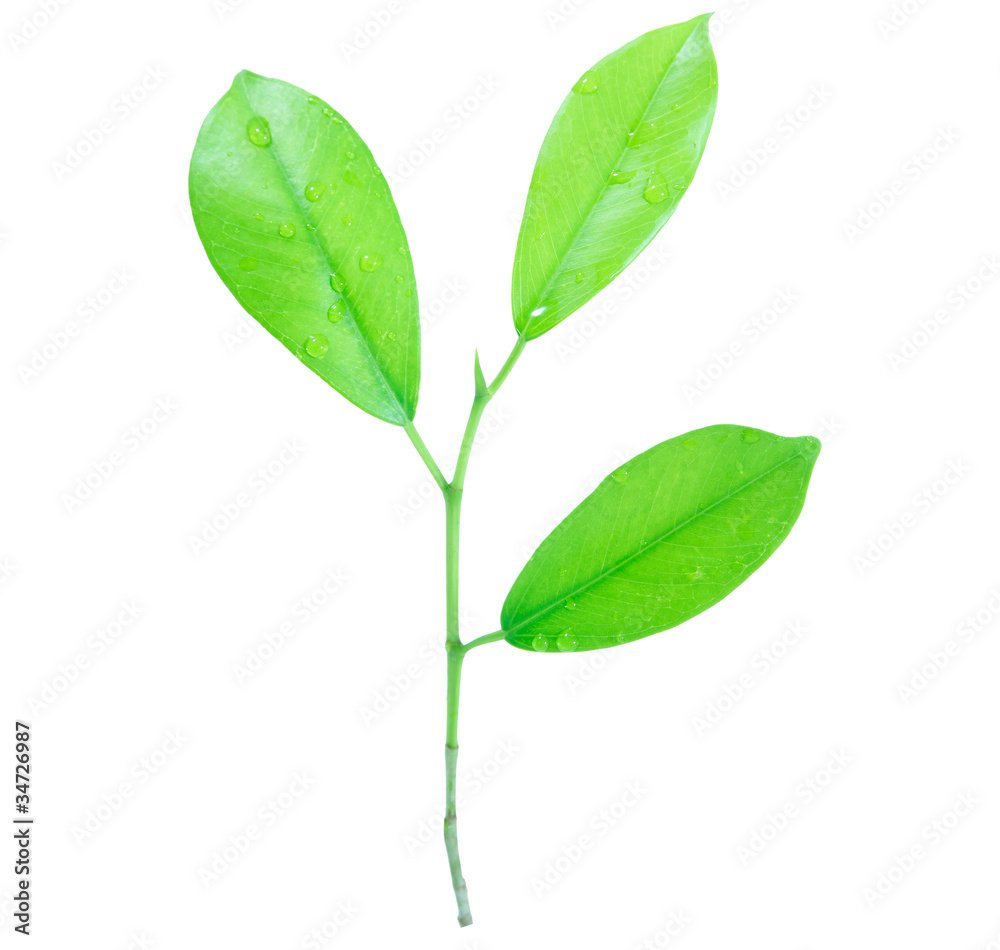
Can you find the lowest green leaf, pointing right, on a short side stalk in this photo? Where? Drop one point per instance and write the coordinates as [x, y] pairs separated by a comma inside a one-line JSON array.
[[661, 539]]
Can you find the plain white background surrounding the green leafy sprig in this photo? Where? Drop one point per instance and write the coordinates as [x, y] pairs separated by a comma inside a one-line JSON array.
[[914, 103]]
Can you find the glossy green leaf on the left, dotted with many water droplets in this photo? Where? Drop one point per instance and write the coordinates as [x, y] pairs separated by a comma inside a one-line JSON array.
[[299, 223]]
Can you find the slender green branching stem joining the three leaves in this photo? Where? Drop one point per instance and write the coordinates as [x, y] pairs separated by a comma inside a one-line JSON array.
[[456, 650]]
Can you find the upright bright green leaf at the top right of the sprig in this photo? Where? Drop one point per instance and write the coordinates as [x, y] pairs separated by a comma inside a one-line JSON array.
[[616, 161]]
